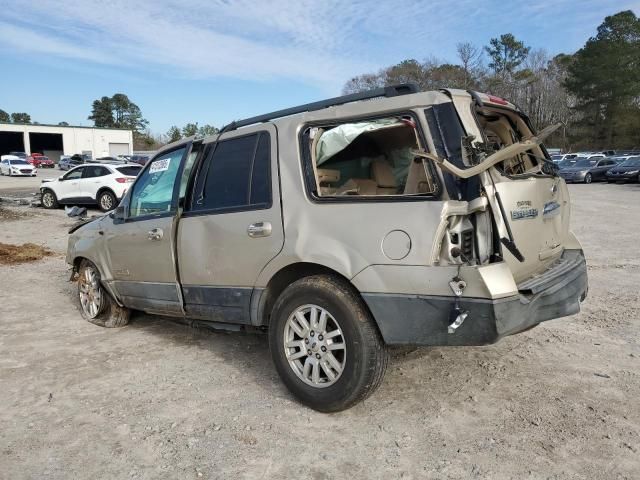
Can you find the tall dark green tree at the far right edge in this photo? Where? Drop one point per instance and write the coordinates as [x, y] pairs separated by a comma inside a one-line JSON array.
[[604, 76]]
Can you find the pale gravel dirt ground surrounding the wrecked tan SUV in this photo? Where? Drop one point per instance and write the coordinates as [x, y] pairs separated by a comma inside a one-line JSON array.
[[158, 399]]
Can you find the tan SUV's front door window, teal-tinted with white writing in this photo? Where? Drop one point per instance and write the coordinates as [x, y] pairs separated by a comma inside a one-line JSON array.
[[153, 191]]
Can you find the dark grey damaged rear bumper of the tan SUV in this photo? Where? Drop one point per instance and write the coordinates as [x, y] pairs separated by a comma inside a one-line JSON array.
[[423, 320]]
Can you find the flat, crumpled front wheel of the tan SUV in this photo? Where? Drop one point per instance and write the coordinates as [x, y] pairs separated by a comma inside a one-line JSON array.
[[96, 305]]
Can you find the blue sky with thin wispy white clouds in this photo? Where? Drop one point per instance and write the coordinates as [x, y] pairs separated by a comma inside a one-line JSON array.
[[211, 61]]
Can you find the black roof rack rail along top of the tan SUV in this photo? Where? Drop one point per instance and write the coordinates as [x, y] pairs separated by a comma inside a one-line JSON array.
[[389, 91]]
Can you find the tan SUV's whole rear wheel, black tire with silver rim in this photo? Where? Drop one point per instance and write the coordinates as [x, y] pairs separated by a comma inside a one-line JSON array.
[[325, 345]]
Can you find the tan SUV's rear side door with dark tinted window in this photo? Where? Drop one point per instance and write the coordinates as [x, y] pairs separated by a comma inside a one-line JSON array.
[[232, 225]]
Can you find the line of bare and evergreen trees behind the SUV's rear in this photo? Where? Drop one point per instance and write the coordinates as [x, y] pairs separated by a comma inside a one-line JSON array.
[[594, 92]]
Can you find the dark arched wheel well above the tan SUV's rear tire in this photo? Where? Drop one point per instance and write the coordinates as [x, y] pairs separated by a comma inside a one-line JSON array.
[[286, 277]]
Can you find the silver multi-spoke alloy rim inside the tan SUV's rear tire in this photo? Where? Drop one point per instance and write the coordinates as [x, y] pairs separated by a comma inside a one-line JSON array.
[[314, 346]]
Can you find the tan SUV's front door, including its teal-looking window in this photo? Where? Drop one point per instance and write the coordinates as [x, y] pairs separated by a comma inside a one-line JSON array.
[[140, 247]]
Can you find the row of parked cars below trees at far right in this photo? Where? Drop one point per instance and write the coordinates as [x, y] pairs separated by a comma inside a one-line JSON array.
[[610, 166]]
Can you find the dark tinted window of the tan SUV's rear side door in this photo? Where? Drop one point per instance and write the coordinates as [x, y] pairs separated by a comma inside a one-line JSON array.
[[238, 175]]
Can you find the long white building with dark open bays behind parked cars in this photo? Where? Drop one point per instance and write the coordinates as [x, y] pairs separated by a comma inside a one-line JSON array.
[[55, 140]]
